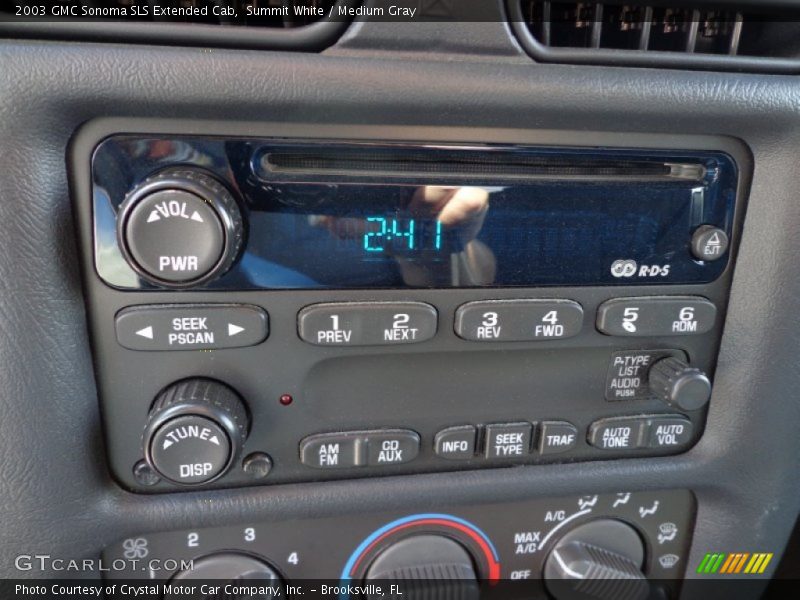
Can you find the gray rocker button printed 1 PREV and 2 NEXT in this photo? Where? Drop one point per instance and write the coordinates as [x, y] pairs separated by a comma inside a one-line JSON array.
[[366, 323]]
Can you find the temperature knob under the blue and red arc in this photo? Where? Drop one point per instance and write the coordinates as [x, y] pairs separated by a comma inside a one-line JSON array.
[[442, 568]]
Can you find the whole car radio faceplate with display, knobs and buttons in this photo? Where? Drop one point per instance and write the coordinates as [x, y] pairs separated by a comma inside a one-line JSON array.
[[426, 364]]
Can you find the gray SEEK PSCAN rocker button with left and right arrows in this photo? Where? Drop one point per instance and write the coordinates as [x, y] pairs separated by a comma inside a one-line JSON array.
[[191, 326]]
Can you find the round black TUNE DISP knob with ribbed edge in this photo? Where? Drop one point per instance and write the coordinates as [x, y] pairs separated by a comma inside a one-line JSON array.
[[195, 429]]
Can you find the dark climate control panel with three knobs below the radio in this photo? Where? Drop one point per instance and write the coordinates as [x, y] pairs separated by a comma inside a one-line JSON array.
[[570, 547]]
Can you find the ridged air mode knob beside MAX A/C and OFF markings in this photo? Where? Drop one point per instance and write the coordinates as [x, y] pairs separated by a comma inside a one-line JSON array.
[[599, 560]]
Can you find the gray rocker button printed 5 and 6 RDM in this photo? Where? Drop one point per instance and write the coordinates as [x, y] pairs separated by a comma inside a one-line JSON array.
[[656, 316]]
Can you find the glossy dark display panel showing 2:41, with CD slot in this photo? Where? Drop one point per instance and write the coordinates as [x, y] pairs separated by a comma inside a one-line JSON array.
[[266, 214]]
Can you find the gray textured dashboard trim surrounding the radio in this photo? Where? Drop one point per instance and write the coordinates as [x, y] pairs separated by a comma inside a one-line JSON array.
[[58, 496]]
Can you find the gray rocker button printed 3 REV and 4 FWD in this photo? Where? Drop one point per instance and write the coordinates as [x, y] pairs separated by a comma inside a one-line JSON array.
[[518, 320]]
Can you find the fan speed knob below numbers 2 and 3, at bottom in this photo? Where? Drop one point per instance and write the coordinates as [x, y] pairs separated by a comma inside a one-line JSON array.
[[234, 577]]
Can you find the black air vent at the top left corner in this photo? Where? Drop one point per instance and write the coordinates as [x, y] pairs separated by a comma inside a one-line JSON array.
[[278, 24]]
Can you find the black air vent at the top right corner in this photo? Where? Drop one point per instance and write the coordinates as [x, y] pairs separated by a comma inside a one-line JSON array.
[[703, 37]]
